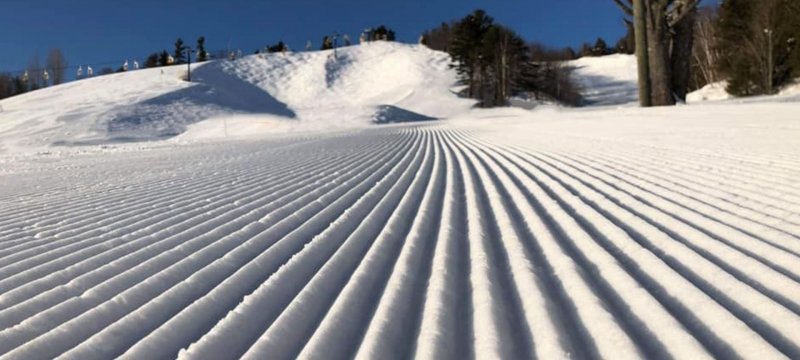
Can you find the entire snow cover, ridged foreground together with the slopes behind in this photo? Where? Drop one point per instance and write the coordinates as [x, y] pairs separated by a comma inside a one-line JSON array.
[[313, 231]]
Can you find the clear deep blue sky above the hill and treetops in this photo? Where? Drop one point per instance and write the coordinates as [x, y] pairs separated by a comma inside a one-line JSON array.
[[96, 31]]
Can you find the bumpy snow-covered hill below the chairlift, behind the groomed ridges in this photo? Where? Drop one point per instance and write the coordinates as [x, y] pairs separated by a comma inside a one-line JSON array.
[[255, 94]]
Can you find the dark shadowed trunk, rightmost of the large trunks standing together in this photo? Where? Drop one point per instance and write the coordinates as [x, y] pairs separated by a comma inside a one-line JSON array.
[[682, 43]]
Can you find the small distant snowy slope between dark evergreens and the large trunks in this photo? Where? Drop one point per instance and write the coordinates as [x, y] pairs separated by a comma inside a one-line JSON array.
[[607, 80]]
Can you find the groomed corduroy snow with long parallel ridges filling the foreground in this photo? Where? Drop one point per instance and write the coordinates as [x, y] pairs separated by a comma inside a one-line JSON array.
[[436, 241]]
